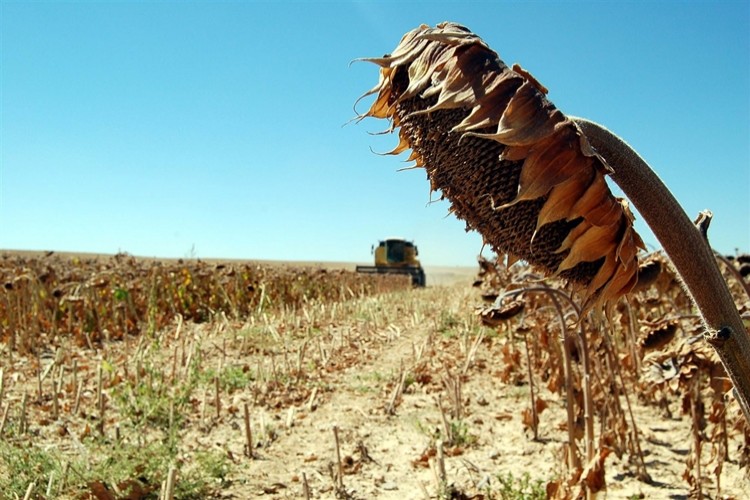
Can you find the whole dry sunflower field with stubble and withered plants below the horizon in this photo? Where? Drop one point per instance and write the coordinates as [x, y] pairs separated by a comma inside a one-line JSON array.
[[132, 379]]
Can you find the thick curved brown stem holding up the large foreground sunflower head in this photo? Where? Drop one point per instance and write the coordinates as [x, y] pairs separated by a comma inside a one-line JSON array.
[[690, 253]]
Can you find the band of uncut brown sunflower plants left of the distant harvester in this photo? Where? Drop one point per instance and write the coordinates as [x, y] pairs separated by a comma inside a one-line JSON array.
[[109, 298]]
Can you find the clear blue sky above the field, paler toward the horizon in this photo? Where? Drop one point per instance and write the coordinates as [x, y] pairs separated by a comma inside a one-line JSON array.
[[216, 129]]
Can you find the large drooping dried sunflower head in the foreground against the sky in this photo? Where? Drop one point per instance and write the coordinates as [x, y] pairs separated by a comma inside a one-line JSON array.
[[513, 166]]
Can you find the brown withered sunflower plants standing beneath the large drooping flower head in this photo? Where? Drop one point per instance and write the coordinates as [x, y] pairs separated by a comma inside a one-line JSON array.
[[649, 348]]
